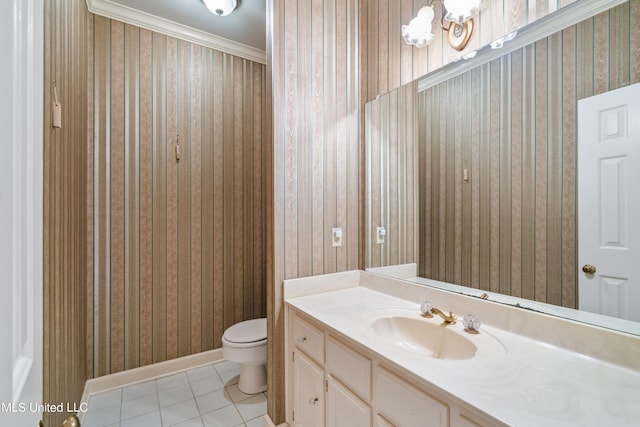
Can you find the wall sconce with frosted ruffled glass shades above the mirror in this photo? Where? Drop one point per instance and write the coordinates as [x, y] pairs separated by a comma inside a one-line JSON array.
[[460, 15]]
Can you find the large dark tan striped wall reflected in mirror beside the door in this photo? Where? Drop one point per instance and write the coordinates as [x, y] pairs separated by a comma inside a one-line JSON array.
[[512, 125]]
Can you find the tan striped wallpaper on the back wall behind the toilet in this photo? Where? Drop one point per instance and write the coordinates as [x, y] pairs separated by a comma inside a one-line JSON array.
[[178, 244]]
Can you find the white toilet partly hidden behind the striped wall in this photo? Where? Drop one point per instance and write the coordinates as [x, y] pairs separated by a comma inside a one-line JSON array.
[[246, 344]]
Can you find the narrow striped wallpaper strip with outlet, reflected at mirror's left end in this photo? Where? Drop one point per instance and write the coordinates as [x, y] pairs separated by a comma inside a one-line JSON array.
[[391, 179]]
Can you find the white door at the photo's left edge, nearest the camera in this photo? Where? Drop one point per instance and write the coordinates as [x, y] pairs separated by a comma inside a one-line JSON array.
[[21, 41]]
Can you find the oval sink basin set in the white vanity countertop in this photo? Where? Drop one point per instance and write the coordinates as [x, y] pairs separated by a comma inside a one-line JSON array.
[[426, 338]]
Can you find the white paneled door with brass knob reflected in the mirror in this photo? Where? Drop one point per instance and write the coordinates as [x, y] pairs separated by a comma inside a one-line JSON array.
[[609, 203]]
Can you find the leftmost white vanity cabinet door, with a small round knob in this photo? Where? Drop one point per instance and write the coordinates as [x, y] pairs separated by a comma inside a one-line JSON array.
[[308, 393]]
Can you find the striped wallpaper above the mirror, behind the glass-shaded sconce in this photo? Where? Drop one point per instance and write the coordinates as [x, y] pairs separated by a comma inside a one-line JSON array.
[[390, 63]]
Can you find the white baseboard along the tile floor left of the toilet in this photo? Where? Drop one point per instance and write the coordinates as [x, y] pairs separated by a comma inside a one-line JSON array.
[[146, 373]]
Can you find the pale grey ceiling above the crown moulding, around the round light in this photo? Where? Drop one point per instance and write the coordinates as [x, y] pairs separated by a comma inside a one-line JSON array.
[[246, 25]]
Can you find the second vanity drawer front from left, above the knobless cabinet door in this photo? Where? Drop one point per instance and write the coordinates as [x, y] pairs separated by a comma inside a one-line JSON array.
[[350, 367]]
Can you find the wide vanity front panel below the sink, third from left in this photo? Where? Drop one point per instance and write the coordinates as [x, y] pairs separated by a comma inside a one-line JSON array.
[[405, 405]]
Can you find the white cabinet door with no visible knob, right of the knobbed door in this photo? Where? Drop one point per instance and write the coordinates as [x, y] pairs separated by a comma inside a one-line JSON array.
[[344, 409]]
